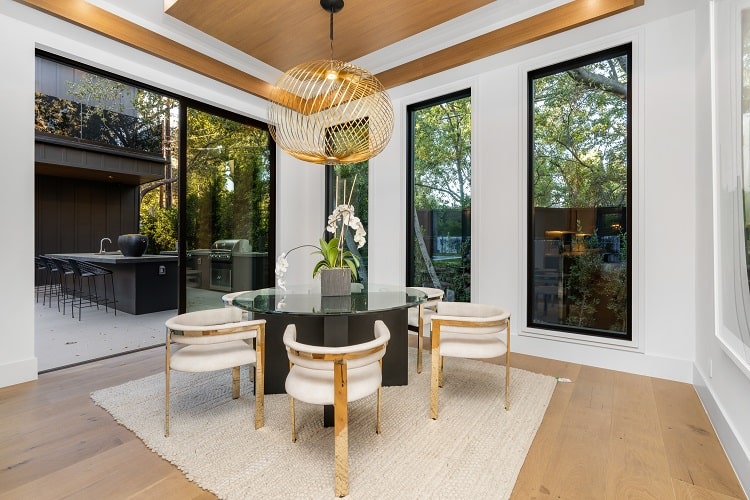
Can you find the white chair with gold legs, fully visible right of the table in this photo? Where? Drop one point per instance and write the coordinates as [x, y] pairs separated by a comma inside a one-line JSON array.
[[466, 330]]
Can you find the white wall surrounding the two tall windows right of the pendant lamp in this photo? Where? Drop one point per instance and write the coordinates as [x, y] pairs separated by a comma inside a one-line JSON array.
[[664, 224]]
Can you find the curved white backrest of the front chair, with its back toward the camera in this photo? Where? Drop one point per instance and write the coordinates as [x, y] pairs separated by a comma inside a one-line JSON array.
[[323, 358]]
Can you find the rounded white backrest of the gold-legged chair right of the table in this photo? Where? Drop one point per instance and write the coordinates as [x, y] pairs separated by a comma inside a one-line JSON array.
[[484, 318]]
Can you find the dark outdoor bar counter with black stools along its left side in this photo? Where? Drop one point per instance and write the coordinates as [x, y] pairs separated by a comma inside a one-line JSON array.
[[142, 284]]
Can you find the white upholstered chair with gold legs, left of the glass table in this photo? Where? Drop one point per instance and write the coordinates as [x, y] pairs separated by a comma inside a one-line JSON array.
[[216, 339]]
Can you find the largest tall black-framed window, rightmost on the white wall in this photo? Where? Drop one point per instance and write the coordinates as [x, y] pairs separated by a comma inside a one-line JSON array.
[[579, 272]]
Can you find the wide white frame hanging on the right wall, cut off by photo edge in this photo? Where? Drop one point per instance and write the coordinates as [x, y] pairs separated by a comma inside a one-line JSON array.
[[732, 295]]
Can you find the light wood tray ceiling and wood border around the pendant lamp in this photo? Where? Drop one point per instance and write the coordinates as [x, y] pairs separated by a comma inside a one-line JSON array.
[[361, 27]]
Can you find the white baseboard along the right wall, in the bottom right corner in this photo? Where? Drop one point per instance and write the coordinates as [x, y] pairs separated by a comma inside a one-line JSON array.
[[738, 456]]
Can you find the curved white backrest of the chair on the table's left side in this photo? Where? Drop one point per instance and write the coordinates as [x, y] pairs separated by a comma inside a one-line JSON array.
[[211, 326]]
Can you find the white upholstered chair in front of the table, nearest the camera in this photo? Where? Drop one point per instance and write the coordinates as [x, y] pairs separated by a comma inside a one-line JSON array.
[[335, 376]]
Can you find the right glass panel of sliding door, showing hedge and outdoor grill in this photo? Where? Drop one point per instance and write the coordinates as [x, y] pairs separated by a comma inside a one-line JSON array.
[[228, 207]]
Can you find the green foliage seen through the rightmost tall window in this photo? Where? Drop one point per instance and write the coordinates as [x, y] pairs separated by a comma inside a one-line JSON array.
[[580, 160]]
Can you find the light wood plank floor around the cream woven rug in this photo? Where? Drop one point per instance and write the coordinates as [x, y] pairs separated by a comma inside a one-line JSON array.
[[606, 435]]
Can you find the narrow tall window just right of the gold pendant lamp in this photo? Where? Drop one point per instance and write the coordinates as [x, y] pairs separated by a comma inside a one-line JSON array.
[[440, 213]]
